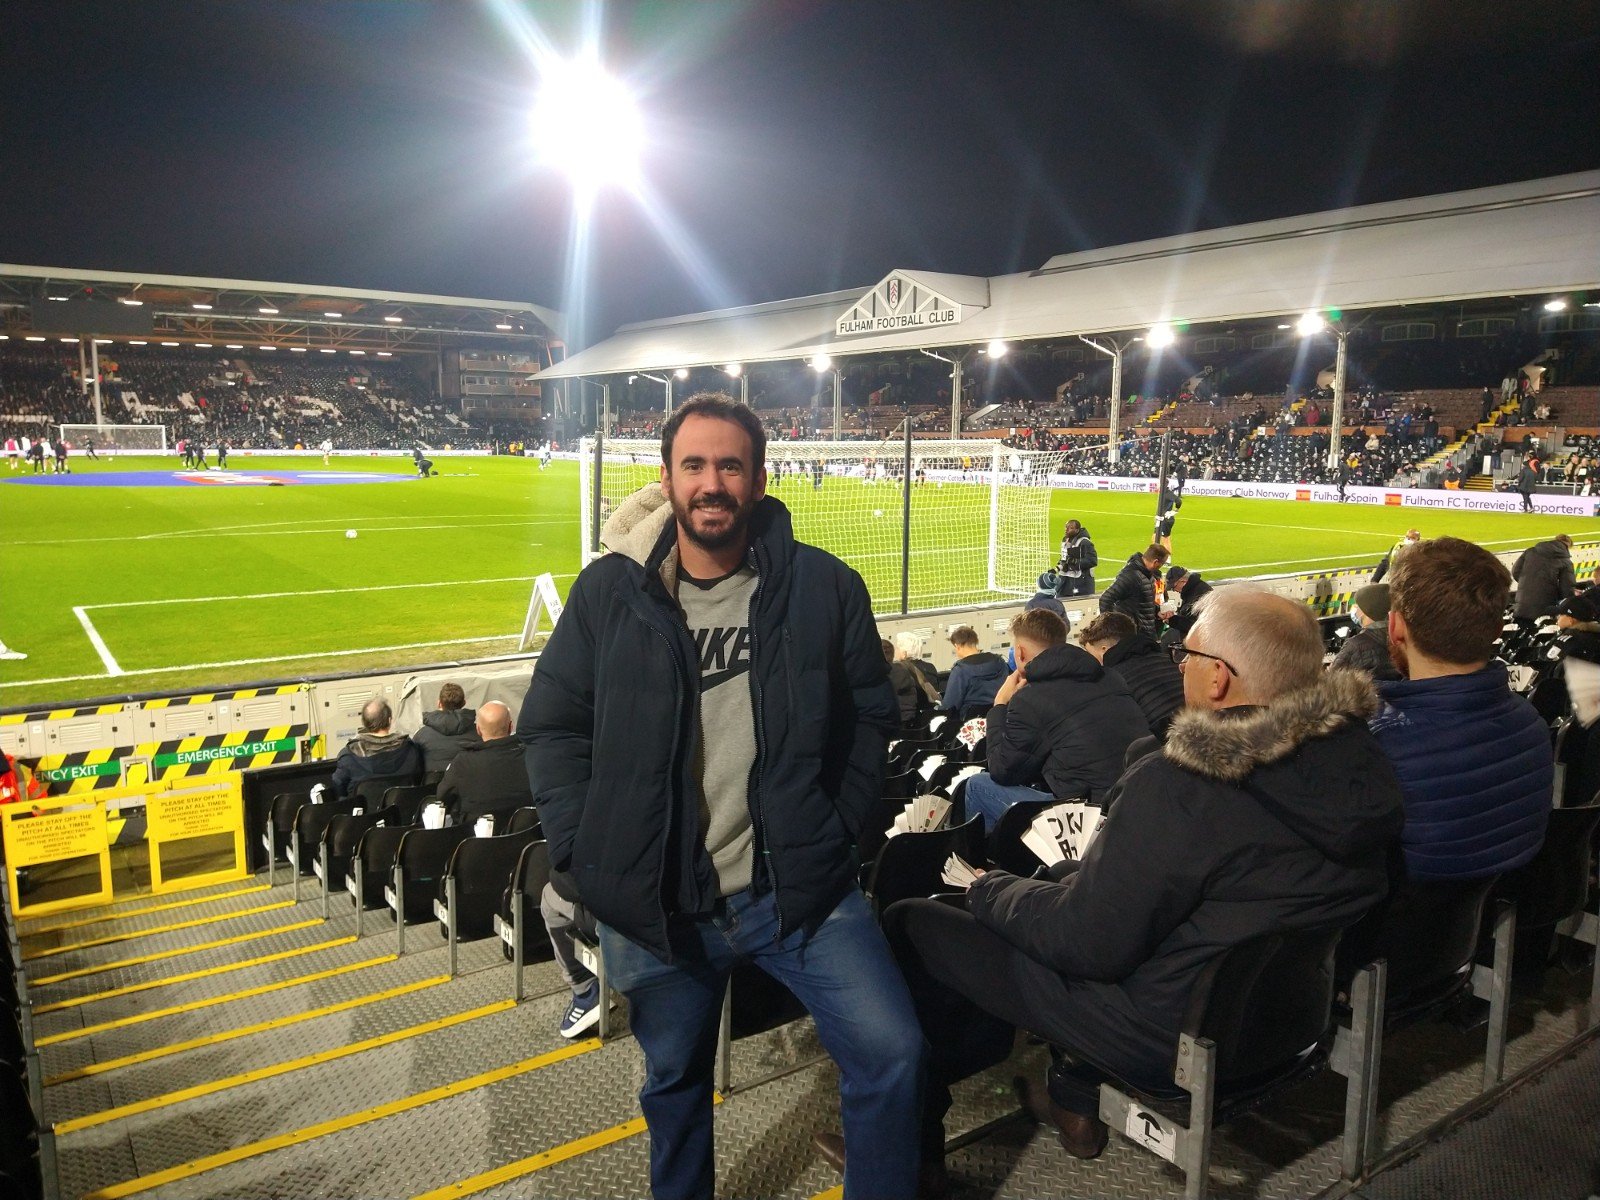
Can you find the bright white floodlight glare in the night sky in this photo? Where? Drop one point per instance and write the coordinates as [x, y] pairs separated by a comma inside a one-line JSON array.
[[588, 126]]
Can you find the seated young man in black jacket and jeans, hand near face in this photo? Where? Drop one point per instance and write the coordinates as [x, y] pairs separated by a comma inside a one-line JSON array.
[[1060, 724]]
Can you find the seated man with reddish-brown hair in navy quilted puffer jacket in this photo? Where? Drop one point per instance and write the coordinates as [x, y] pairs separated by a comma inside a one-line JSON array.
[[1474, 761]]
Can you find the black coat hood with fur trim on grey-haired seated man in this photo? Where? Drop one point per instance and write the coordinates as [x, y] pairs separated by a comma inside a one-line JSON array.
[[1308, 758]]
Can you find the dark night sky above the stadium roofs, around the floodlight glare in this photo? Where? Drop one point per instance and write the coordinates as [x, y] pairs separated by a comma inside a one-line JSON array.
[[796, 146]]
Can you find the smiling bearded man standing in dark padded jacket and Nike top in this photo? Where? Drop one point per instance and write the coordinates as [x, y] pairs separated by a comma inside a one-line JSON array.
[[706, 742]]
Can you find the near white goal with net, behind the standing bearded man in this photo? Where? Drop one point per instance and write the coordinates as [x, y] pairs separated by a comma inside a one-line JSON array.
[[980, 513]]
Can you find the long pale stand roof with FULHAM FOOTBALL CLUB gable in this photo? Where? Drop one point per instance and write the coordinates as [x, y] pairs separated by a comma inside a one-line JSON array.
[[1514, 241]]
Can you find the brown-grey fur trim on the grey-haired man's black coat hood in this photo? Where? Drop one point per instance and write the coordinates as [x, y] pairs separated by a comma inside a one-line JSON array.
[[1230, 748]]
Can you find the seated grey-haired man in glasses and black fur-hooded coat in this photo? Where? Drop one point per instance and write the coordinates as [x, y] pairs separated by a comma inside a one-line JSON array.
[[1271, 809]]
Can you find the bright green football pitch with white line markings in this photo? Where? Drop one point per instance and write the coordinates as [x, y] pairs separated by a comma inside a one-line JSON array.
[[127, 590]]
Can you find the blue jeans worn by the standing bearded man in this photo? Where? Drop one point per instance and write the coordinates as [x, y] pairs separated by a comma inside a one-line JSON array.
[[844, 975]]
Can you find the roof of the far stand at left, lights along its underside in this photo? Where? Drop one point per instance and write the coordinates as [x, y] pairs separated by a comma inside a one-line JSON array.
[[191, 310]]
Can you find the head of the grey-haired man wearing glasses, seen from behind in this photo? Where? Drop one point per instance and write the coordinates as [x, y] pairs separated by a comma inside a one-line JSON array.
[[1271, 646]]
